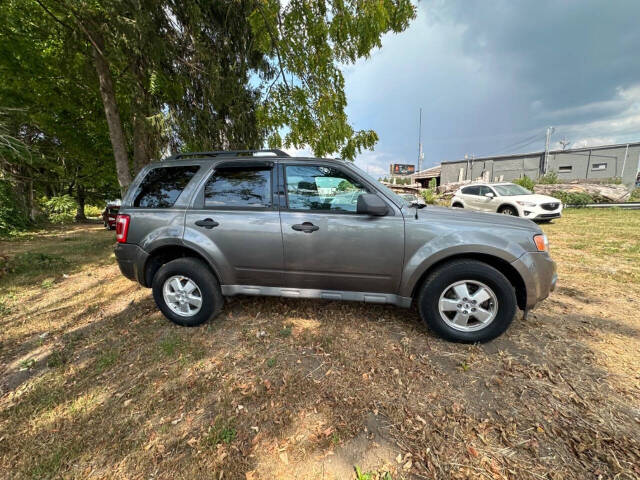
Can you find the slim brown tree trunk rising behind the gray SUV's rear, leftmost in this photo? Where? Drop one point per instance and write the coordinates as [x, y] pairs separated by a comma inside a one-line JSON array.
[[113, 120]]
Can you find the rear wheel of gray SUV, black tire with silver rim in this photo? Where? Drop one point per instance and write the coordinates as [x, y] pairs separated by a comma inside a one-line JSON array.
[[185, 270]]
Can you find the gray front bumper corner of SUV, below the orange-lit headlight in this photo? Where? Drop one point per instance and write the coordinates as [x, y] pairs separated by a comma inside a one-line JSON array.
[[538, 271]]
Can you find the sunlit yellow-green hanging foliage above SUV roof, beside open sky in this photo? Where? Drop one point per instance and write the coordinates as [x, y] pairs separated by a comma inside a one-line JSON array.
[[306, 43]]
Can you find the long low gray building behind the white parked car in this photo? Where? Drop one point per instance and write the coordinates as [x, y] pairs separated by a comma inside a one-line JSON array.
[[592, 163]]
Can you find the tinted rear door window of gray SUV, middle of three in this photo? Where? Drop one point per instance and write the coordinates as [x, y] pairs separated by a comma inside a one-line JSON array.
[[239, 187]]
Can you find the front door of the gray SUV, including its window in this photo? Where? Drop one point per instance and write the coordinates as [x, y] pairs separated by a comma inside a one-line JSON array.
[[327, 244]]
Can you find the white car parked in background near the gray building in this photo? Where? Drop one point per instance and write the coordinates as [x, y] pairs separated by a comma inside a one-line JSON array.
[[509, 199]]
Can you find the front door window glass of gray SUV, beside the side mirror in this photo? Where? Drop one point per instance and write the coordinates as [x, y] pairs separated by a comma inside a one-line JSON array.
[[315, 187]]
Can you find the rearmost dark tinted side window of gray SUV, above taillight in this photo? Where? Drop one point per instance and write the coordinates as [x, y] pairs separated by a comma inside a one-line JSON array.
[[162, 186]]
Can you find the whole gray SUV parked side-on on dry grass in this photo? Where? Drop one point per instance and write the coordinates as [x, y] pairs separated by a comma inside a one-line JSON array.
[[200, 226]]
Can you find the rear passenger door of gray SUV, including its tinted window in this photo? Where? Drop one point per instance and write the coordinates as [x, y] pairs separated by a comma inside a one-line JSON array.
[[235, 221]]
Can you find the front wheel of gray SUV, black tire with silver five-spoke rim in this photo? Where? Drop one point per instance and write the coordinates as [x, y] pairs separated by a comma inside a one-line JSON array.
[[438, 288]]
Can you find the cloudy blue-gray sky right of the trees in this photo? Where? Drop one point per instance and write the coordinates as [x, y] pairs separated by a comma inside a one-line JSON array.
[[491, 76]]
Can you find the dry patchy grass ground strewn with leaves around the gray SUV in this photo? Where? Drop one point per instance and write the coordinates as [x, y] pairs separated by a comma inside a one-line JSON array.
[[95, 383]]
